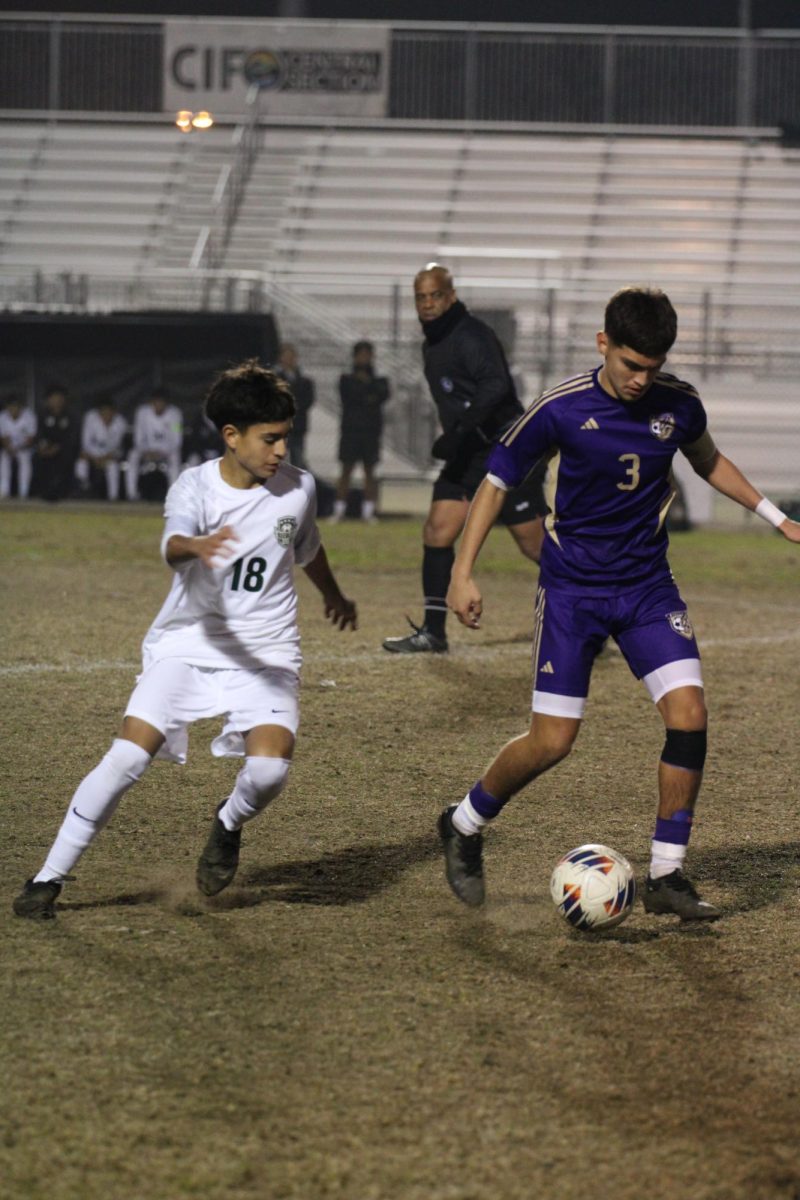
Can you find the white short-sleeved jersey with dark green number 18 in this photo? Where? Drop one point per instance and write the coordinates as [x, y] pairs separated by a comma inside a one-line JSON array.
[[243, 614]]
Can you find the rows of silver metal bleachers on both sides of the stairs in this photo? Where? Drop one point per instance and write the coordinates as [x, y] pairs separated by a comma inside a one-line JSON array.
[[542, 226]]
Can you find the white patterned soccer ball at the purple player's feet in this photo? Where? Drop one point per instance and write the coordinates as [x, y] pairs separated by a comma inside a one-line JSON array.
[[593, 887]]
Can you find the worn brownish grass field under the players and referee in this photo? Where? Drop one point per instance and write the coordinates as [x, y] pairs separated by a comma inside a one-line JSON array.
[[336, 1025]]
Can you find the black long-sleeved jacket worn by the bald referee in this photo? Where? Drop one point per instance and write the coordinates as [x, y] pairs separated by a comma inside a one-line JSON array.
[[470, 380]]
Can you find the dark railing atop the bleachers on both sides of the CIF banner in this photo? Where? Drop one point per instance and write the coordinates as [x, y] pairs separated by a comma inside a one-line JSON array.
[[563, 76]]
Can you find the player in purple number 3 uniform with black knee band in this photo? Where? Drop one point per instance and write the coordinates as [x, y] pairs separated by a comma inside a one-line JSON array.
[[610, 436]]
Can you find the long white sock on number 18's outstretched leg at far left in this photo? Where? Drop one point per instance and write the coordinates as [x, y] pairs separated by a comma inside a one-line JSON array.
[[93, 806]]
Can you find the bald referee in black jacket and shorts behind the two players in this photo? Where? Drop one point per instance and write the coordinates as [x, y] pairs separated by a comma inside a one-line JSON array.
[[474, 393]]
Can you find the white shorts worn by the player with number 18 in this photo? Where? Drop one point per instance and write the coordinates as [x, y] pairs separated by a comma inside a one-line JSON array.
[[172, 694]]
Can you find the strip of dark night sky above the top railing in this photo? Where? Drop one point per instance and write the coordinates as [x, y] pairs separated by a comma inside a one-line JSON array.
[[709, 14]]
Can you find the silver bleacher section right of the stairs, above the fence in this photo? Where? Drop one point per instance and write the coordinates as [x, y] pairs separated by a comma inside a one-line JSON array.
[[539, 209]]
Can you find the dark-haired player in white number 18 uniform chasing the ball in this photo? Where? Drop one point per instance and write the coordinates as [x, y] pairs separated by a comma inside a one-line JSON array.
[[226, 640]]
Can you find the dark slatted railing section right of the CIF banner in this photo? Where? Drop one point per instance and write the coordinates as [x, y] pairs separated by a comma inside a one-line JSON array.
[[593, 77]]
